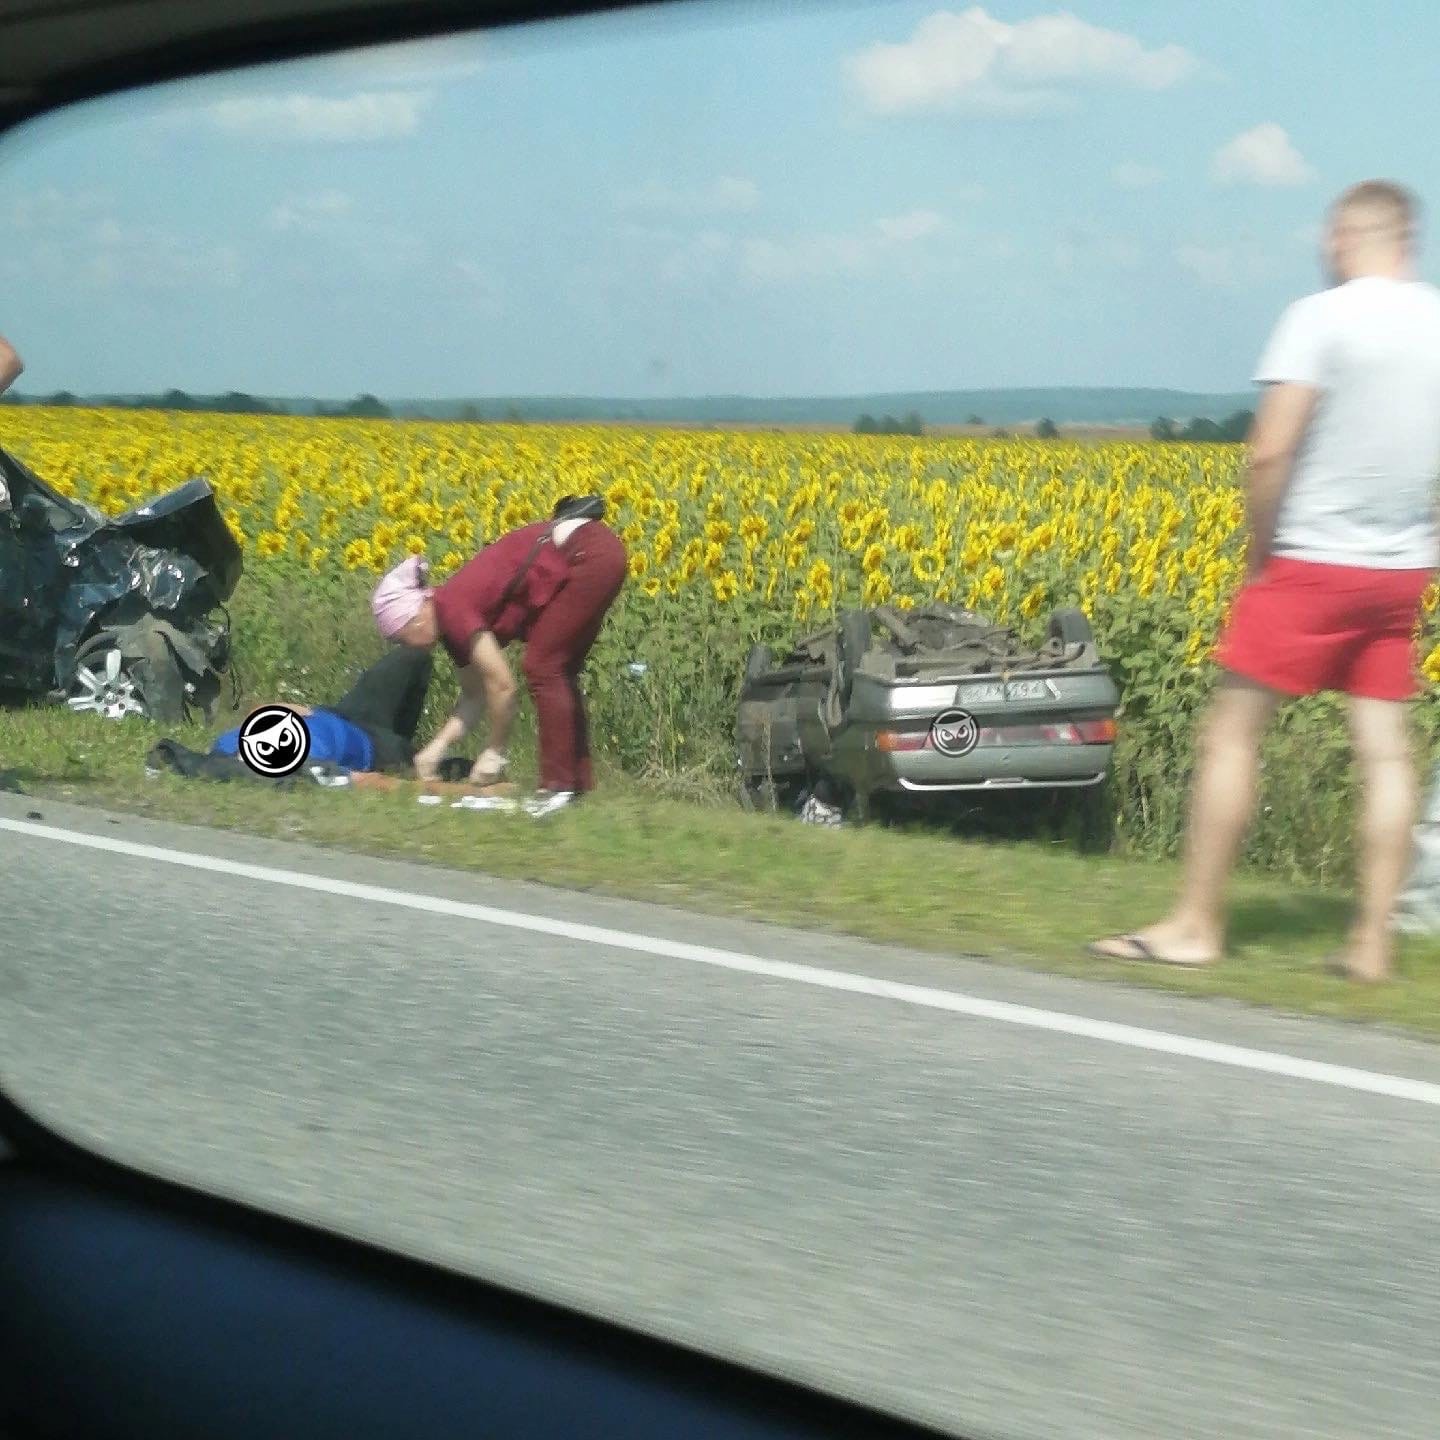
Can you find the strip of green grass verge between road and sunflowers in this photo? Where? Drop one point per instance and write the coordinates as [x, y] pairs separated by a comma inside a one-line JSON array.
[[1017, 902]]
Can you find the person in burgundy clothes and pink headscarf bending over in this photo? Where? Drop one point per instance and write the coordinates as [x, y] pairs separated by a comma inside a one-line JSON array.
[[549, 585]]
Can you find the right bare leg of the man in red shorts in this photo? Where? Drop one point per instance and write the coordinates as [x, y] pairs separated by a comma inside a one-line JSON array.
[[1385, 755]]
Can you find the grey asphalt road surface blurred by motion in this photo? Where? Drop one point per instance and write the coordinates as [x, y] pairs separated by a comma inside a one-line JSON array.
[[1010, 1230]]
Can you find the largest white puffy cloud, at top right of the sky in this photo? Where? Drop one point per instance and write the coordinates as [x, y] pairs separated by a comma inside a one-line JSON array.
[[973, 61]]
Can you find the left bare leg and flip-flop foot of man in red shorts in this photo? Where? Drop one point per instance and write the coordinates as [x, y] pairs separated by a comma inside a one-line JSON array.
[[1222, 807]]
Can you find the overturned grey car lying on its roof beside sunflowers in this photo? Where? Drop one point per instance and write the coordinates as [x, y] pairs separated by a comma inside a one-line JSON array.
[[924, 703]]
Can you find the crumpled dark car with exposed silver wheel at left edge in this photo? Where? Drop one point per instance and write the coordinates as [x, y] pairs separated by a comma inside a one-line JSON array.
[[114, 616]]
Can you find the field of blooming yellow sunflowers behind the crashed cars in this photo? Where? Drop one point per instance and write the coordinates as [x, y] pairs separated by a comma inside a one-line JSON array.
[[734, 538]]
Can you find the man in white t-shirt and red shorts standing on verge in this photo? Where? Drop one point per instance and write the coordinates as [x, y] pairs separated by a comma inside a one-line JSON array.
[[1344, 541]]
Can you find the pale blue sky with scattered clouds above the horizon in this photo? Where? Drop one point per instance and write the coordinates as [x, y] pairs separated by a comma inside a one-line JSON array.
[[726, 198]]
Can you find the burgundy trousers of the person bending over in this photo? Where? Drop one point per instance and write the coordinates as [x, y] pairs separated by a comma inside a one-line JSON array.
[[557, 647]]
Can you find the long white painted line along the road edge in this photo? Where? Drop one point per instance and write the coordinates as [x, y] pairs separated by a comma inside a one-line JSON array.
[[1135, 1038]]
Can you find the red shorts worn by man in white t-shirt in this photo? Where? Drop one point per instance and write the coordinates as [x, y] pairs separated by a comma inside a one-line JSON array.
[[1302, 629]]
